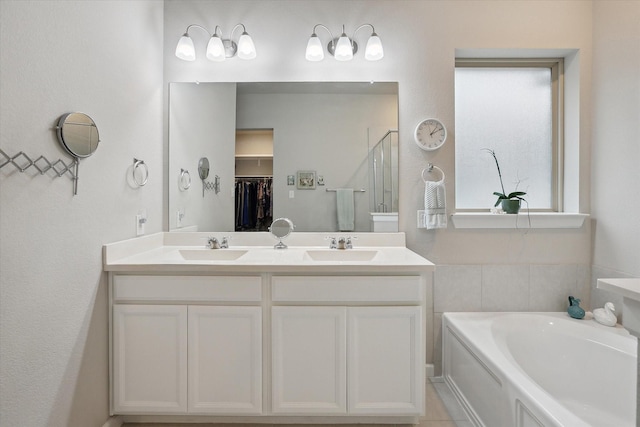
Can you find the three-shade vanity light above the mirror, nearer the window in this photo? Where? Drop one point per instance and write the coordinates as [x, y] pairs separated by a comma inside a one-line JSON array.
[[343, 48]]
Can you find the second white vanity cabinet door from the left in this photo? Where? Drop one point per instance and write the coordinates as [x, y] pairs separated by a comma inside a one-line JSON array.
[[225, 360]]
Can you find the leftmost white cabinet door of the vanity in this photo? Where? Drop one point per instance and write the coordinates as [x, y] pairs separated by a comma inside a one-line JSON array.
[[149, 359]]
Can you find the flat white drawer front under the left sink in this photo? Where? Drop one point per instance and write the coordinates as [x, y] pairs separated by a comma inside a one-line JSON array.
[[187, 288]]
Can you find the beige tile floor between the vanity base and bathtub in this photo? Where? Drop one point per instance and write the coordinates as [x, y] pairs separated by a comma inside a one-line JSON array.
[[441, 410]]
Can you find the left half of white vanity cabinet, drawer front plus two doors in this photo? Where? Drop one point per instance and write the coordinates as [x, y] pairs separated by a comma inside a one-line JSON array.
[[179, 346]]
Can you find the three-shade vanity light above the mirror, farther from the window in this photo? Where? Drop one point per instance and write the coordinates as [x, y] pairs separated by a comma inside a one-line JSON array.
[[218, 49]]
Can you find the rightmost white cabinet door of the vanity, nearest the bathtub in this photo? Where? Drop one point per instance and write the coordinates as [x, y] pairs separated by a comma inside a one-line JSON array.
[[386, 371]]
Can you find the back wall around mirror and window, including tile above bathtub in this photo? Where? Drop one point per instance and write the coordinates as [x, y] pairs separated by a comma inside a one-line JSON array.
[[420, 39]]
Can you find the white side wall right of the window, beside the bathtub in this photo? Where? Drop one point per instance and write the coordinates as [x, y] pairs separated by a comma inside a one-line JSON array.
[[616, 143]]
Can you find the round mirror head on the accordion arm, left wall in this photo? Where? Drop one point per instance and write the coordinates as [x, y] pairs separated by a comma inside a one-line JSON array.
[[78, 134]]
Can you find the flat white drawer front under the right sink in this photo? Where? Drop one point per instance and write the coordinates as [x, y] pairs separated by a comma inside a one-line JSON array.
[[383, 289]]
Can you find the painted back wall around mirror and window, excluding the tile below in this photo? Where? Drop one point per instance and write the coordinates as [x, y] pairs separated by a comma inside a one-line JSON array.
[[420, 56]]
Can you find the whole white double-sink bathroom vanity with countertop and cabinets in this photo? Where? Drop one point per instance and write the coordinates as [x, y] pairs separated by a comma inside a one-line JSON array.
[[251, 333]]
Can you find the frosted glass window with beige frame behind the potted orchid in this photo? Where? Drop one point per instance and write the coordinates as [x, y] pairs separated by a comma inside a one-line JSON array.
[[514, 108]]
